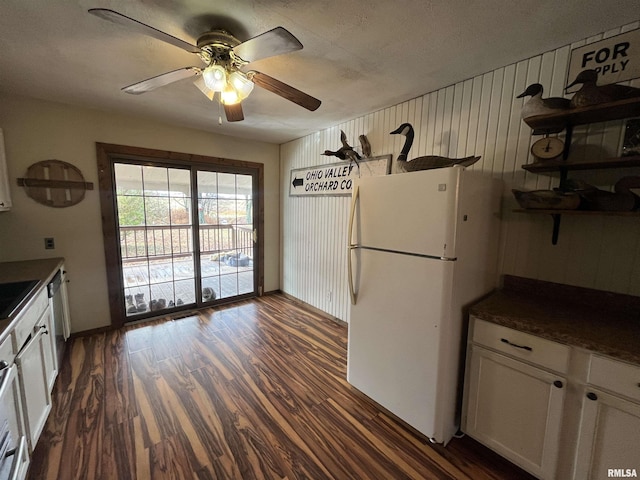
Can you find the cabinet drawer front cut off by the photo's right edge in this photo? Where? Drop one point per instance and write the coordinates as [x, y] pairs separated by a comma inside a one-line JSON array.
[[618, 377]]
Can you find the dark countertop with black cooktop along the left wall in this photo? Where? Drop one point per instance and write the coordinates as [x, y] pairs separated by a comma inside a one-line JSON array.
[[42, 270]]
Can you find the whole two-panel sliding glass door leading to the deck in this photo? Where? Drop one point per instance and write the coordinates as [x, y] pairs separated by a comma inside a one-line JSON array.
[[186, 235]]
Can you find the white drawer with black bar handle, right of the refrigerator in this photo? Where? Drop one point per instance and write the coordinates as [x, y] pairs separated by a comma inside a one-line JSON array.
[[536, 350]]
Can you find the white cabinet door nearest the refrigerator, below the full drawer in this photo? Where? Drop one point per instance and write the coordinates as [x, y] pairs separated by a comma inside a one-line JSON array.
[[515, 409]]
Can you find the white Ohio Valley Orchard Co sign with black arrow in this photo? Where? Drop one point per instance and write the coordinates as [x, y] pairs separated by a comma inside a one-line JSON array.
[[335, 178]]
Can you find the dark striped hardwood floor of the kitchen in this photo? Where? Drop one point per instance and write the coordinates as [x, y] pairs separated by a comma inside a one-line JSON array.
[[252, 390]]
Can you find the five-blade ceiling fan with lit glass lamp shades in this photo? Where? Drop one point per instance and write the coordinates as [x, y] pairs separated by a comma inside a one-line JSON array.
[[224, 57]]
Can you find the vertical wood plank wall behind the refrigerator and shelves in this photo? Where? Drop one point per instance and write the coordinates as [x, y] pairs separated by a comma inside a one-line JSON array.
[[479, 116]]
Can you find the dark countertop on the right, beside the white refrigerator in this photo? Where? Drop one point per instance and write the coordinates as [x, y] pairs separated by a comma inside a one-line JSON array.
[[603, 322]]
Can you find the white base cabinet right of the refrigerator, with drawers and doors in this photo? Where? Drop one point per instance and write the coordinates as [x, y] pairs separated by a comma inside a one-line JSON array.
[[556, 411]]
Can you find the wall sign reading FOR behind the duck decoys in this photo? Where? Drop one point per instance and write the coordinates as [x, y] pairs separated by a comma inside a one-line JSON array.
[[616, 59]]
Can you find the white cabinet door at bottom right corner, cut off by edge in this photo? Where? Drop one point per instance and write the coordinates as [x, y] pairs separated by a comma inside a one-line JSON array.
[[609, 436]]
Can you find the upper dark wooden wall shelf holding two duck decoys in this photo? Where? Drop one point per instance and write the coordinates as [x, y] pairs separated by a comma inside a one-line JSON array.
[[583, 115]]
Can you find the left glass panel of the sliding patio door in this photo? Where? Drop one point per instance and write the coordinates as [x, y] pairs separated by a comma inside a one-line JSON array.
[[154, 207]]
